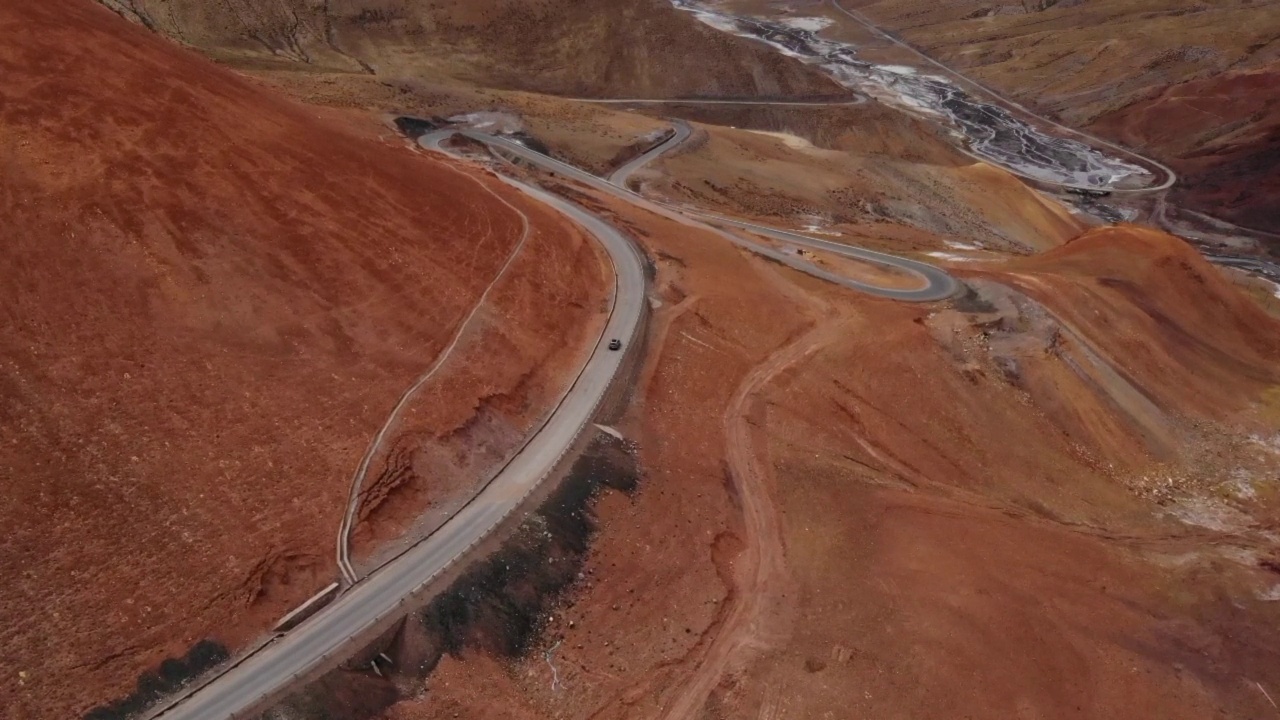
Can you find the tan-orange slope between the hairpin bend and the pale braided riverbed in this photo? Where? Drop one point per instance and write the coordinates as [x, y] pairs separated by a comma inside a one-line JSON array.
[[879, 176]]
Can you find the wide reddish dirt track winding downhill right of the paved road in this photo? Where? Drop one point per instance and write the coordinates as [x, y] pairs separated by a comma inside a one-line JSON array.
[[761, 572]]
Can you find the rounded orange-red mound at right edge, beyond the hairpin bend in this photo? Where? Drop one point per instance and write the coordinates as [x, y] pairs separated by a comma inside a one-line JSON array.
[[1197, 344]]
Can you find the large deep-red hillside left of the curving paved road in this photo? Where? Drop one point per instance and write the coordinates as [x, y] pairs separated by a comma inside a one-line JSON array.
[[212, 300]]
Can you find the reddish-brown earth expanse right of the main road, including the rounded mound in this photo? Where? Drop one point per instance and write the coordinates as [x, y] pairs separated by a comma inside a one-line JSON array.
[[889, 518]]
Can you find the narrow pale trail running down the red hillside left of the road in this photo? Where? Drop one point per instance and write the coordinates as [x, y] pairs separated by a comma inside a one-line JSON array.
[[358, 481]]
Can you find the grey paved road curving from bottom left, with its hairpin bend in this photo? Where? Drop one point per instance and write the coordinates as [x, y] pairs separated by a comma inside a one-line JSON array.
[[381, 596]]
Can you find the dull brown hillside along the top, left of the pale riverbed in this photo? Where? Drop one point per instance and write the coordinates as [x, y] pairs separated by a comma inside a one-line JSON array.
[[595, 48]]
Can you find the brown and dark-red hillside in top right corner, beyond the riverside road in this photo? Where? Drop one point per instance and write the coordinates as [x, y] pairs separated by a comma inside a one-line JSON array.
[[1192, 84]]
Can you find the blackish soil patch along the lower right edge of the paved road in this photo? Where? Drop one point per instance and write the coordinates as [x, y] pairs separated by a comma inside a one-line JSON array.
[[500, 607]]
